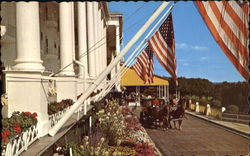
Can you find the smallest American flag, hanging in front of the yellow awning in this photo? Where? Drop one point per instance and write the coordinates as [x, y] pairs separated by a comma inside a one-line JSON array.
[[145, 65]]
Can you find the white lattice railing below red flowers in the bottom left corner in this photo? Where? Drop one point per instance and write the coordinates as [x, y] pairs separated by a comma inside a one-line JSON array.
[[21, 142]]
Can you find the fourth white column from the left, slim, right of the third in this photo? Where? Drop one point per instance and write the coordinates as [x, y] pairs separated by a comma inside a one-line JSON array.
[[90, 27]]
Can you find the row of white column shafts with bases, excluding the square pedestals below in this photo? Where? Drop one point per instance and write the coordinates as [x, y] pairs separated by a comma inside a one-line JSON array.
[[90, 32]]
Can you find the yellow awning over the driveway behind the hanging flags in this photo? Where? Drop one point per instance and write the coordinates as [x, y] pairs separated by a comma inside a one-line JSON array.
[[130, 78]]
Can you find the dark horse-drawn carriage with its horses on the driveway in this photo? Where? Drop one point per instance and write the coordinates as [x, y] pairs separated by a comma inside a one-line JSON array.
[[157, 113]]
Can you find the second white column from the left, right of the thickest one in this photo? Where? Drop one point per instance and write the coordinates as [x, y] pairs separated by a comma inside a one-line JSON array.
[[66, 37]]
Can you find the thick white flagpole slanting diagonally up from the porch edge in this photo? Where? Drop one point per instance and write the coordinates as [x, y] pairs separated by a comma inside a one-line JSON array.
[[102, 76]]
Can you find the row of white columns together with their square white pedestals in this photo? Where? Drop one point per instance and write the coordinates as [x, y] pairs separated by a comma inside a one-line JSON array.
[[29, 61]]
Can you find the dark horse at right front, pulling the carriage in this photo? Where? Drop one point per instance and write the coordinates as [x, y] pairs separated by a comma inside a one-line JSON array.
[[178, 114]]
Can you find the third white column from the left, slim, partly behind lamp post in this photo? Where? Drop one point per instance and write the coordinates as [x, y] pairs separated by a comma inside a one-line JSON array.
[[82, 37]]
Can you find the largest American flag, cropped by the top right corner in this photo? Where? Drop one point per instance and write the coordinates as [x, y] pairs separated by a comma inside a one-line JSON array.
[[228, 23]]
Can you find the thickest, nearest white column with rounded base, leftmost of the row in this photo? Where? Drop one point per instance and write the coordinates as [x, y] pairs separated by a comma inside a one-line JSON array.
[[28, 37]]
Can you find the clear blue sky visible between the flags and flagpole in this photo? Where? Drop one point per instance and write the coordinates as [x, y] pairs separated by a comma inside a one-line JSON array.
[[198, 55]]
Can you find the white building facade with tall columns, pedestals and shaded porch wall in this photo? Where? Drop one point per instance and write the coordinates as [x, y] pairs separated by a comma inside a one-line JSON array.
[[66, 45]]
